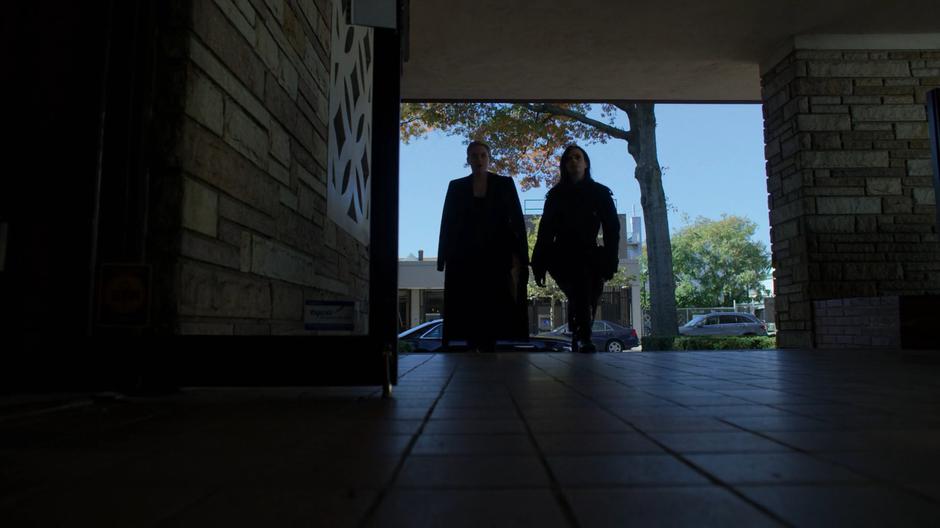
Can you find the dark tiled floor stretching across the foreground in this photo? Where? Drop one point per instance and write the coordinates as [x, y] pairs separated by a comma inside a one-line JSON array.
[[678, 439]]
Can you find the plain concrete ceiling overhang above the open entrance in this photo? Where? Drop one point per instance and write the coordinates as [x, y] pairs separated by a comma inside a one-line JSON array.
[[663, 50]]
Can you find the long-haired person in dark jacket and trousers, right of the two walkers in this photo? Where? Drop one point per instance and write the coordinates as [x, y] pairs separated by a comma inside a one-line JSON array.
[[575, 208]]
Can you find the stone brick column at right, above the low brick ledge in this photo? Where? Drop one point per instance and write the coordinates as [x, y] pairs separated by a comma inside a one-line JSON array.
[[852, 204]]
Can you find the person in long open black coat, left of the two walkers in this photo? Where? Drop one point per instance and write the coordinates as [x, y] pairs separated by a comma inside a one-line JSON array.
[[484, 254]]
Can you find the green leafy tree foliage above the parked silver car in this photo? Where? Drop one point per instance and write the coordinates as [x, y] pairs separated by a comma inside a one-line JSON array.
[[716, 262]]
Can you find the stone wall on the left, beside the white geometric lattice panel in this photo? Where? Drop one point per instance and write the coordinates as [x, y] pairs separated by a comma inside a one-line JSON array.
[[254, 239]]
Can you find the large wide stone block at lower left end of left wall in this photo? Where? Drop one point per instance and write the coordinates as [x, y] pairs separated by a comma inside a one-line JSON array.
[[210, 292]]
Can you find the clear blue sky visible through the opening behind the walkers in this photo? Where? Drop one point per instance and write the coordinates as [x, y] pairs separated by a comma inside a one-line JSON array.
[[714, 156]]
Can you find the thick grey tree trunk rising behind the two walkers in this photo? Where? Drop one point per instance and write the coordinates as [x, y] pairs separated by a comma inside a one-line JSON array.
[[642, 147]]
